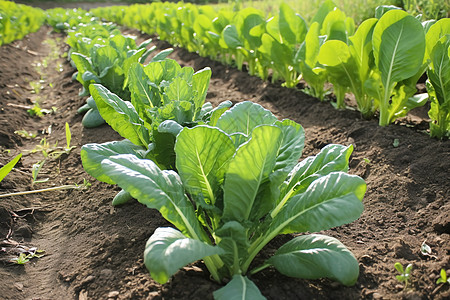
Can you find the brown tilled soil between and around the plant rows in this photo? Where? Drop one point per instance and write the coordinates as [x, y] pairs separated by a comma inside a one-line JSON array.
[[94, 250]]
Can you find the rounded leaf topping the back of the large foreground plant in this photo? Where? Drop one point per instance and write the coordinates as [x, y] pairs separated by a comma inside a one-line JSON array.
[[244, 117]]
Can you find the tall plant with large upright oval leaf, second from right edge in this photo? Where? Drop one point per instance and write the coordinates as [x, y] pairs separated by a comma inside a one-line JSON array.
[[398, 43]]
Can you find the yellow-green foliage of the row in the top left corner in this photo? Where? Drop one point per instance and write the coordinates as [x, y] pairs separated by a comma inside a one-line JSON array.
[[17, 20]]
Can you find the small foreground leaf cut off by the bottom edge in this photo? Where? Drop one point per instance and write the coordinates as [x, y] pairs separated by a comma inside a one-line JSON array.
[[239, 288]]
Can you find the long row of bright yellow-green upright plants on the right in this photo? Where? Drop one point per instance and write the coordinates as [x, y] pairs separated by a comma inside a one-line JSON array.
[[380, 62]]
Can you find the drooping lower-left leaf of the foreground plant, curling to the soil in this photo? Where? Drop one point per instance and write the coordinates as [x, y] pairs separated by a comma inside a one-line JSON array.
[[168, 250]]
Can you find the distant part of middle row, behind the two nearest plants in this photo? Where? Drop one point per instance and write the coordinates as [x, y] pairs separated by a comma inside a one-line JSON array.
[[101, 54]]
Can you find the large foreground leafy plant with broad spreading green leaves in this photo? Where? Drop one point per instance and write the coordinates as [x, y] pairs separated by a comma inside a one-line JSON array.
[[239, 185]]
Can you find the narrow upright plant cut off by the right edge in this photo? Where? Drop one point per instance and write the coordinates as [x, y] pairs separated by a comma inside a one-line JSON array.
[[438, 83]]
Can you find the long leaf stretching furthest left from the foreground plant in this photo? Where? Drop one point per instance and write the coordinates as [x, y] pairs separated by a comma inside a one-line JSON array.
[[161, 190]]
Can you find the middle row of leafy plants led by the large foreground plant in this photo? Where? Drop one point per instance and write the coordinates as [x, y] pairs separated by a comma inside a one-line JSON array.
[[228, 178]]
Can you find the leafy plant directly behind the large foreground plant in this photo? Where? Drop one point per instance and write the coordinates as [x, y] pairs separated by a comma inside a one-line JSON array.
[[160, 91]]
